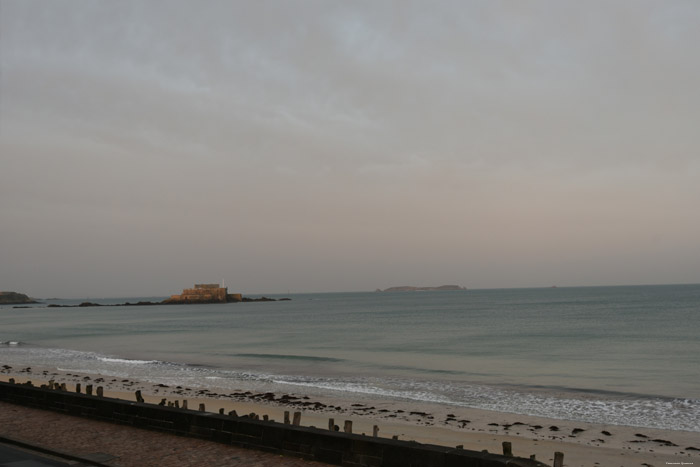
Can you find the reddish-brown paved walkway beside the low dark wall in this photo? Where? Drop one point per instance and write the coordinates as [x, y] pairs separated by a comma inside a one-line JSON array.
[[123, 446]]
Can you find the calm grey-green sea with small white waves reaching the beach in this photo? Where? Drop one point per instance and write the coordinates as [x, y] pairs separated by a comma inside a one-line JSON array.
[[627, 355]]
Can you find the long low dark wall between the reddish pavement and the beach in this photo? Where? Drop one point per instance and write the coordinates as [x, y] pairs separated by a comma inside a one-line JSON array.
[[326, 446]]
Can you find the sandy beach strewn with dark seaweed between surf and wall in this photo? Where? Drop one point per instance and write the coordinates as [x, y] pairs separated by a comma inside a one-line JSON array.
[[583, 444]]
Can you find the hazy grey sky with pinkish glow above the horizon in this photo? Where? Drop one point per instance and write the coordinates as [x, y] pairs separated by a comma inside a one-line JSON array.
[[317, 146]]
